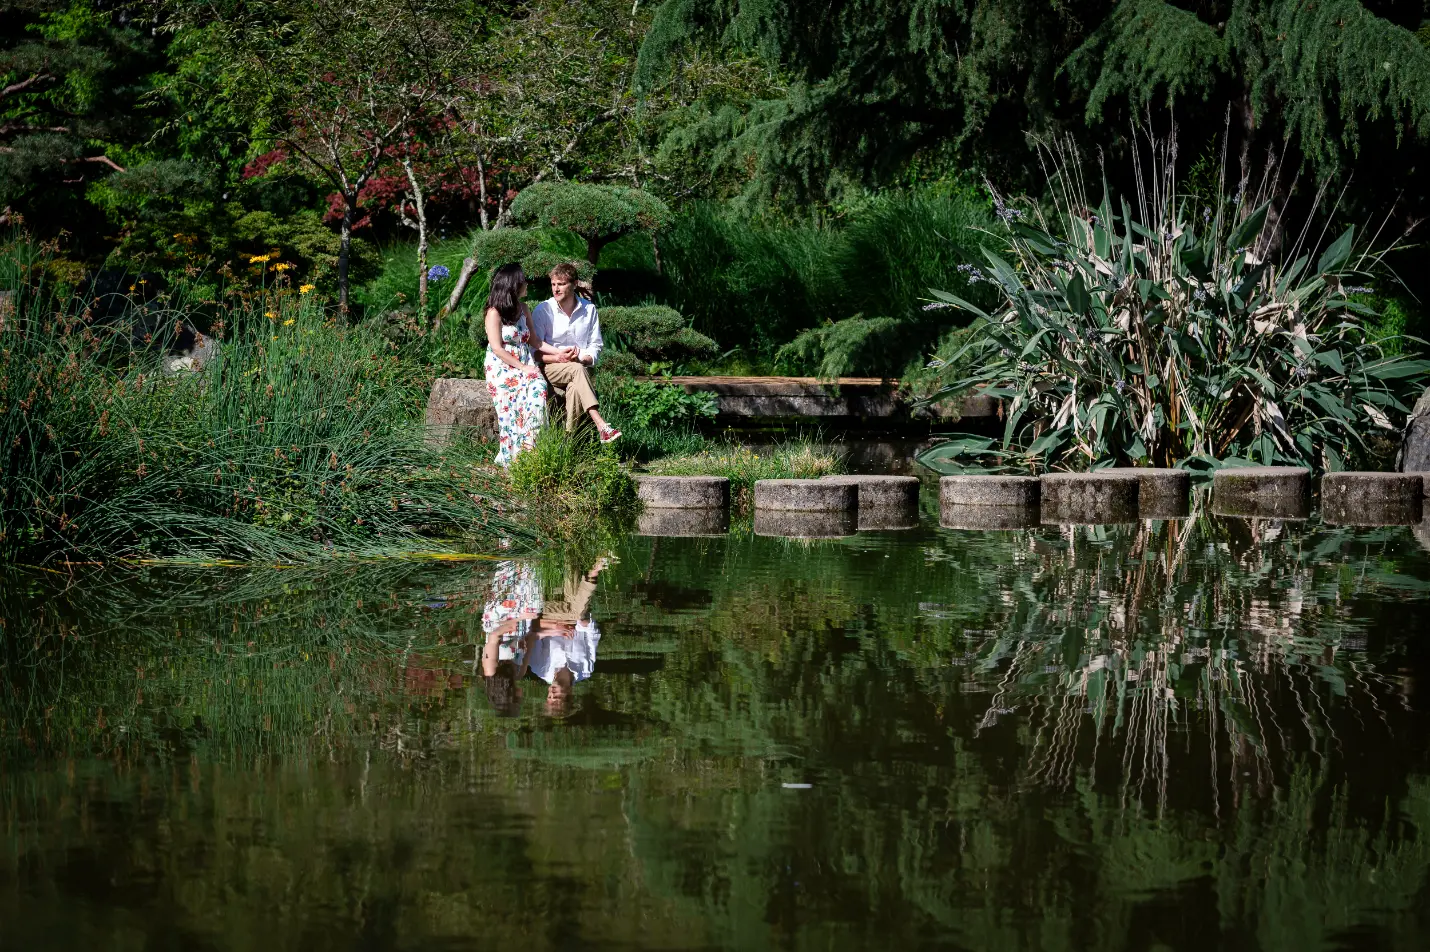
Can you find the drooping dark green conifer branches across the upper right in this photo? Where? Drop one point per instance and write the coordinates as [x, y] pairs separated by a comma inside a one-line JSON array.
[[872, 88]]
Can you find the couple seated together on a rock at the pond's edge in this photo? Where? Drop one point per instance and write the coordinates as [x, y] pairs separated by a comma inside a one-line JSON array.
[[564, 334]]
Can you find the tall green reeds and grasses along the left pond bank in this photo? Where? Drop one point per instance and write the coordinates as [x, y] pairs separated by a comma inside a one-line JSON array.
[[298, 441]]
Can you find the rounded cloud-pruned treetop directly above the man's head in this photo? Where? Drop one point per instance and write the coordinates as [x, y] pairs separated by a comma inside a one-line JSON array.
[[598, 214]]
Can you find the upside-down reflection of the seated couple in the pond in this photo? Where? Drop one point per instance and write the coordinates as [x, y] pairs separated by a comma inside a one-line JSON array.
[[554, 640]]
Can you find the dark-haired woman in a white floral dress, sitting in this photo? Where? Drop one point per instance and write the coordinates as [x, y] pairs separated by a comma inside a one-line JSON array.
[[514, 378]]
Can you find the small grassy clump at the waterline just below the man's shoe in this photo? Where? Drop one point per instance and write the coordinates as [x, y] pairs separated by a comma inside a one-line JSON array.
[[571, 484]]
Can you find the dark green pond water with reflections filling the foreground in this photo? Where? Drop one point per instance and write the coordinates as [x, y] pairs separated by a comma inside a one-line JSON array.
[[1175, 735]]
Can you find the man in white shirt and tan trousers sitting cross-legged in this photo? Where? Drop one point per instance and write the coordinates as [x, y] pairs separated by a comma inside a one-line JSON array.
[[571, 325]]
